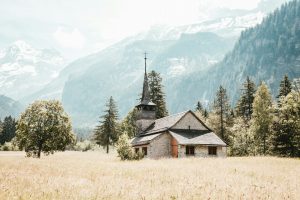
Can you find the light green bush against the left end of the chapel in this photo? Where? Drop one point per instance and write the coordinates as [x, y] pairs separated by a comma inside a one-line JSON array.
[[125, 151]]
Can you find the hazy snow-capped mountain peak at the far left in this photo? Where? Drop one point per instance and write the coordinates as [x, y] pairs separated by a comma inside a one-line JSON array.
[[24, 69]]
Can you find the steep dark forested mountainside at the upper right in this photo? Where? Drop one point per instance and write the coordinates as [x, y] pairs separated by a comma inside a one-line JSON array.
[[265, 53]]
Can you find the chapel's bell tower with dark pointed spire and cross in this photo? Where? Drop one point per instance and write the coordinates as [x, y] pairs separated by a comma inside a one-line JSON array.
[[146, 109]]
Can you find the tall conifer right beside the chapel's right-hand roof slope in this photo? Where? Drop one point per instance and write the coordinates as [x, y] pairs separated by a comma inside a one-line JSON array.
[[220, 116]]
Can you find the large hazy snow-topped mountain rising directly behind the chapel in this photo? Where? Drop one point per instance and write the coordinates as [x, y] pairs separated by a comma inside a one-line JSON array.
[[186, 57]]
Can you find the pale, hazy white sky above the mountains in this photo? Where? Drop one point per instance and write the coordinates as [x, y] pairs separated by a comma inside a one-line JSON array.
[[79, 27]]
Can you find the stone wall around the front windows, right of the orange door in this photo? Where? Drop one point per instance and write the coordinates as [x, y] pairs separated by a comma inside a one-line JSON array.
[[202, 151]]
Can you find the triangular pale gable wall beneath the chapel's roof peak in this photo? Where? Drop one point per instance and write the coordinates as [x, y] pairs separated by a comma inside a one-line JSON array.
[[189, 120]]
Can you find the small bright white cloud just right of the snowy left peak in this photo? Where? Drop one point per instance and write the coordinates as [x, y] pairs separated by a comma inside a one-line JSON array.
[[72, 39]]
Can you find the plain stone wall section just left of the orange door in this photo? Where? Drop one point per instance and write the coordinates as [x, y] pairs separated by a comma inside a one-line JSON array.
[[160, 147]]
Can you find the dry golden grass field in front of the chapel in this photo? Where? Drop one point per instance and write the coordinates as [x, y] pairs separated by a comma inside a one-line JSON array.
[[94, 175]]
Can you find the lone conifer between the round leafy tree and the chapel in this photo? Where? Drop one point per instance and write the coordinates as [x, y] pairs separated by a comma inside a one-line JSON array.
[[107, 132]]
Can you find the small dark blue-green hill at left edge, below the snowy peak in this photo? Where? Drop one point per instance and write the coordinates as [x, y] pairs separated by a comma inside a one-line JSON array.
[[9, 106]]
